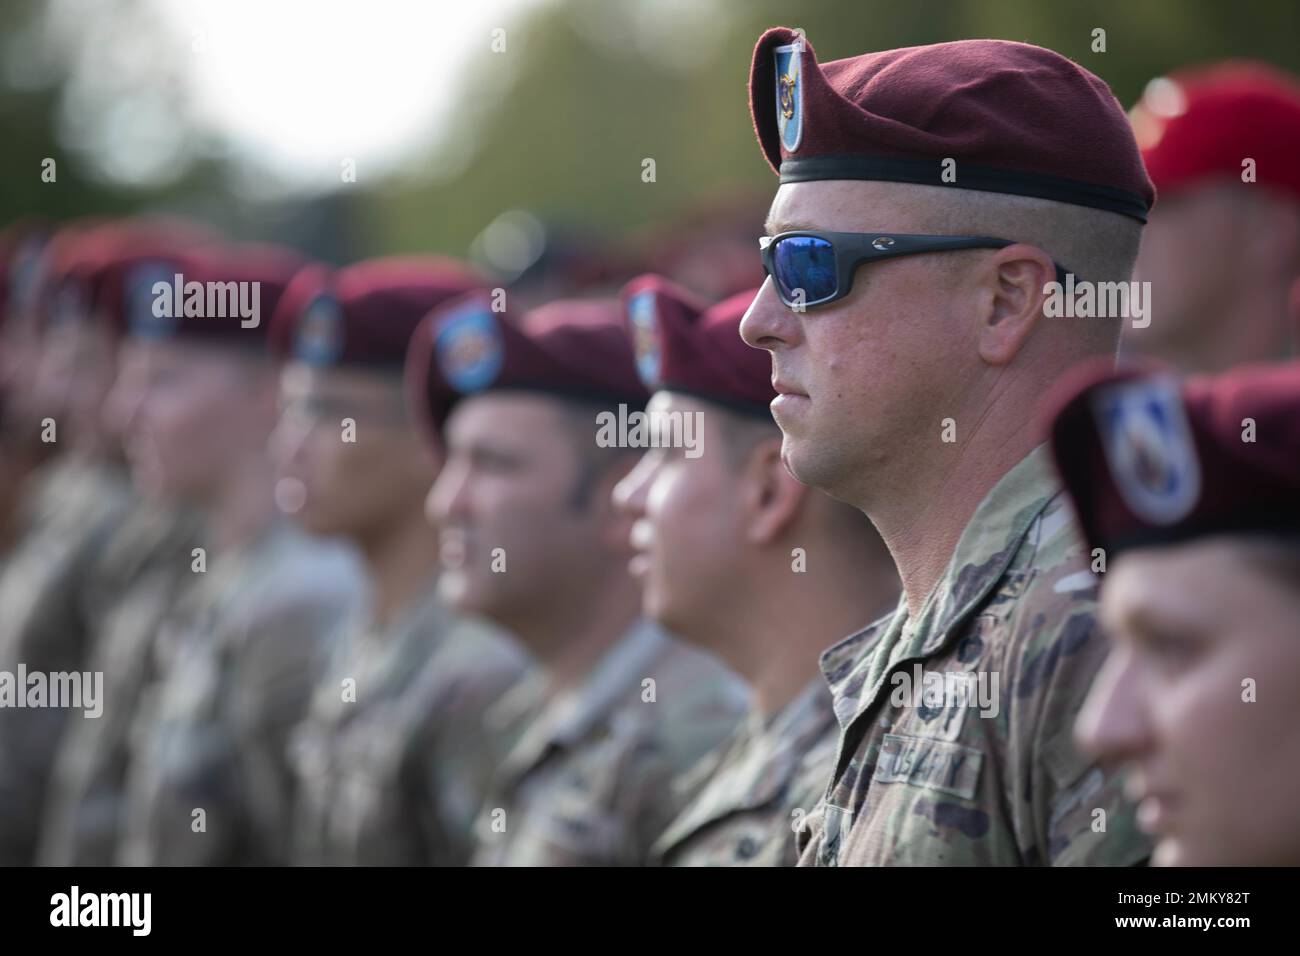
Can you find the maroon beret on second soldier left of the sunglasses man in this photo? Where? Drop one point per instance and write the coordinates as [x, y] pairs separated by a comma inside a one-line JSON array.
[[573, 348]]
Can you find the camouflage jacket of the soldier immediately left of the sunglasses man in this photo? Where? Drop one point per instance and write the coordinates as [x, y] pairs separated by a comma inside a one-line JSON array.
[[757, 790]]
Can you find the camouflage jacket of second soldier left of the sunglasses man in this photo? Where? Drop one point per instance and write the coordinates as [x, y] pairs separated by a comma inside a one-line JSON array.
[[590, 780]]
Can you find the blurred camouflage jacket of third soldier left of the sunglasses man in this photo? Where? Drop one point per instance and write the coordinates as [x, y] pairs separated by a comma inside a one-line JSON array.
[[396, 775]]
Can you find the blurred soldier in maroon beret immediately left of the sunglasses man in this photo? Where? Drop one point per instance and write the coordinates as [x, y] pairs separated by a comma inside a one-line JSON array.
[[739, 559]]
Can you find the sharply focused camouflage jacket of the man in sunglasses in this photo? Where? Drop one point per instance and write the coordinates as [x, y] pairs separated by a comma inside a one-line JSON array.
[[929, 780]]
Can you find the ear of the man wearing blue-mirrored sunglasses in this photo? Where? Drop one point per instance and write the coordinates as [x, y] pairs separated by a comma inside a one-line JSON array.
[[1012, 280]]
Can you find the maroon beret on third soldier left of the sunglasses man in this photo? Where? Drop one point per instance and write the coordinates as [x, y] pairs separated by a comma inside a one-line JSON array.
[[366, 314]]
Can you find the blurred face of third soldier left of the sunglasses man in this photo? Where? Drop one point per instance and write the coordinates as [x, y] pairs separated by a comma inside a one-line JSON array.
[[344, 440]]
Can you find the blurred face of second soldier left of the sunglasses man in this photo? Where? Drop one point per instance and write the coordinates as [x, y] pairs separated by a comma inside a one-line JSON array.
[[513, 538]]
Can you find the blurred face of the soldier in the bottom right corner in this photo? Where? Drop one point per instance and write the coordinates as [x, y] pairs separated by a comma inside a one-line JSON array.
[[1201, 700]]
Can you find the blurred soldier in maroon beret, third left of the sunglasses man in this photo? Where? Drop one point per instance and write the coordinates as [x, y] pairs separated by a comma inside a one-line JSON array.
[[392, 763]]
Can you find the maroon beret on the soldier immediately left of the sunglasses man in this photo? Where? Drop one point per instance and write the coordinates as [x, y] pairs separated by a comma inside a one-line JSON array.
[[683, 347]]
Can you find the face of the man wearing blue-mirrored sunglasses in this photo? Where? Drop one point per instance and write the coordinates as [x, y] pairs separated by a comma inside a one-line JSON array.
[[864, 378]]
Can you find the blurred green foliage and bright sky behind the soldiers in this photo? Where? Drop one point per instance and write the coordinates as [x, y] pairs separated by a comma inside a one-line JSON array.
[[557, 126]]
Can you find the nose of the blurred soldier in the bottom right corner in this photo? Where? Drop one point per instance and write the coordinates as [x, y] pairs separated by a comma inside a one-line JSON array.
[[1112, 725]]
